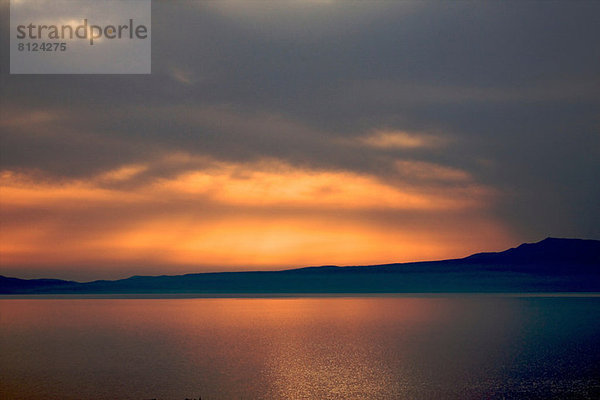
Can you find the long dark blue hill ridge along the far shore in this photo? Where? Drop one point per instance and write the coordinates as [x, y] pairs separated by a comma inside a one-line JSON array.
[[551, 265]]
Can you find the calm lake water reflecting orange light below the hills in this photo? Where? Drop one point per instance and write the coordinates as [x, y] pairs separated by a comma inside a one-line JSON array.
[[474, 347]]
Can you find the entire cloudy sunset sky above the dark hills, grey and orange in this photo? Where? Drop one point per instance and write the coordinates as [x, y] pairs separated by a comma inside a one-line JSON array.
[[277, 135]]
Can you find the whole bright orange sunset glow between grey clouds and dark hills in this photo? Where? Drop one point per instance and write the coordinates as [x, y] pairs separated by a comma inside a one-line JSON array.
[[234, 216]]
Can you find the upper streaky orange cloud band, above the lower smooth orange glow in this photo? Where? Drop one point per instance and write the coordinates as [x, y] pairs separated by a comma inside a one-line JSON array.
[[264, 183]]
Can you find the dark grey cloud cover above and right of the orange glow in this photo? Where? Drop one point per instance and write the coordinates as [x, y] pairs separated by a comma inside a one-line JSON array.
[[515, 86]]
